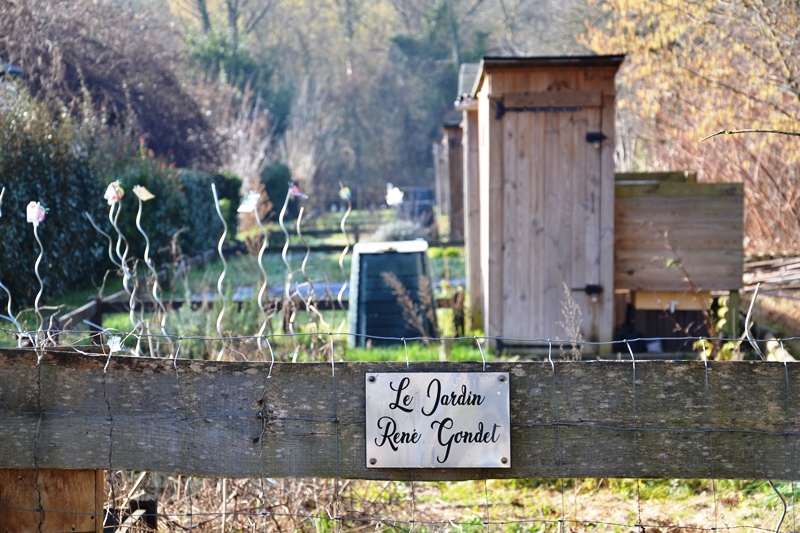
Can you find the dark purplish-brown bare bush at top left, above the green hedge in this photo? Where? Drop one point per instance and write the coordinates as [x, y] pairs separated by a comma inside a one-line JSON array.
[[118, 60]]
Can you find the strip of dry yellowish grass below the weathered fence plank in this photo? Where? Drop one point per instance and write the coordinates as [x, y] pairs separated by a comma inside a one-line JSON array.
[[665, 506]]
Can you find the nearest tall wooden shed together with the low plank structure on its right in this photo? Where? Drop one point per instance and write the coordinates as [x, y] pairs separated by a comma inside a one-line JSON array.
[[547, 220]]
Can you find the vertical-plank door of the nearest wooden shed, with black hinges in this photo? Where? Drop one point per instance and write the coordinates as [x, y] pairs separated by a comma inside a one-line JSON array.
[[551, 233]]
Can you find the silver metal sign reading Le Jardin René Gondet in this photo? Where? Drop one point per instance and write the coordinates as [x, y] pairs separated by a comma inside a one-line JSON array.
[[438, 420]]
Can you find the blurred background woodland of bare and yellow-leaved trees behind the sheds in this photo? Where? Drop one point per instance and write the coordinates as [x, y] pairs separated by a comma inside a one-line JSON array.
[[355, 91]]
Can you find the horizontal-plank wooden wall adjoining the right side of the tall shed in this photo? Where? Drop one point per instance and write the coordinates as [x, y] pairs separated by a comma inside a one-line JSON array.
[[668, 219]]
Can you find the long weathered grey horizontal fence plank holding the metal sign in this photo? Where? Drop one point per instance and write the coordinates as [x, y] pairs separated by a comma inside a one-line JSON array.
[[576, 419]]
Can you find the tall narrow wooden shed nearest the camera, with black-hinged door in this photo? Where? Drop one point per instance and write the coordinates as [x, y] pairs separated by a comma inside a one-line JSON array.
[[546, 194]]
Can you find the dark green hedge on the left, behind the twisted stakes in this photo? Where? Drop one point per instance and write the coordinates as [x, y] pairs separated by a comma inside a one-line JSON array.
[[65, 165]]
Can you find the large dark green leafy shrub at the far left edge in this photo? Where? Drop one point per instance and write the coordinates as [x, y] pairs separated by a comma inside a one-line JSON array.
[[47, 161]]
